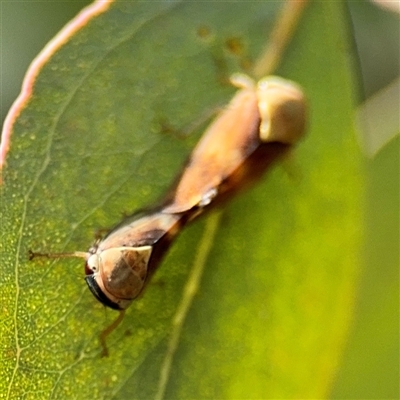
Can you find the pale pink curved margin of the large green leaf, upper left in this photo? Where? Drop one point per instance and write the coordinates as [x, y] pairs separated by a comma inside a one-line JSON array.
[[96, 8]]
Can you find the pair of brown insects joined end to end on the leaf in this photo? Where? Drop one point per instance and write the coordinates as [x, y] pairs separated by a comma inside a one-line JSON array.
[[259, 126]]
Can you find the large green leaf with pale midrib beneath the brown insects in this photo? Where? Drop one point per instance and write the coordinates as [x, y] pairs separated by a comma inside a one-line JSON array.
[[276, 270]]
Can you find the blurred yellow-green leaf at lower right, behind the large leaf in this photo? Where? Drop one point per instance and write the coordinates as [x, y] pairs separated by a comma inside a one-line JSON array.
[[370, 369]]
